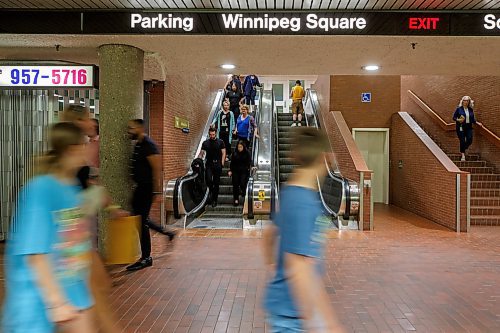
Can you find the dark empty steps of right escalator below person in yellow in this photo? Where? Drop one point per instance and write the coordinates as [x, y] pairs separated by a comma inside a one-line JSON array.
[[285, 145]]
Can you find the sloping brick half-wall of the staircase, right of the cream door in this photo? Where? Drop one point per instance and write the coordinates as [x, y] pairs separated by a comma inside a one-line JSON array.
[[423, 185]]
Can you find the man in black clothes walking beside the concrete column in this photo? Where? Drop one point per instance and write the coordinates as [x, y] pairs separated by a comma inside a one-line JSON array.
[[146, 173]]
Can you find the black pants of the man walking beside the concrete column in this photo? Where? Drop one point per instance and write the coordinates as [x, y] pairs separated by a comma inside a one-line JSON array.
[[142, 200]]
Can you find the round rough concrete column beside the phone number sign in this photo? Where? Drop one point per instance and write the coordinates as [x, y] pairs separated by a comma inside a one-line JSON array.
[[120, 99]]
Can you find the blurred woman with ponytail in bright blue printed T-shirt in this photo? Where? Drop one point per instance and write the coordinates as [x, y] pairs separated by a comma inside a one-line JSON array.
[[47, 255]]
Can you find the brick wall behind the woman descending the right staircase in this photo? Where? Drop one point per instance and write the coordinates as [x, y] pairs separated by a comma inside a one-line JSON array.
[[442, 94]]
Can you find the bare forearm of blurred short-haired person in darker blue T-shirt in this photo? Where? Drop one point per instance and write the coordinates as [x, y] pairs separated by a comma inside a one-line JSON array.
[[309, 291]]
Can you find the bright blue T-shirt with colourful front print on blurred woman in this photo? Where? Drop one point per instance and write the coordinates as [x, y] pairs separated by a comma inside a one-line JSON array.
[[48, 220]]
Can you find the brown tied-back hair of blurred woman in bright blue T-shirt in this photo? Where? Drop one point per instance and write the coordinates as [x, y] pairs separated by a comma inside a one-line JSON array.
[[61, 137]]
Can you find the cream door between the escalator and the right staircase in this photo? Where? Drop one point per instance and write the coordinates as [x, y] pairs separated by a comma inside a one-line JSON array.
[[374, 146]]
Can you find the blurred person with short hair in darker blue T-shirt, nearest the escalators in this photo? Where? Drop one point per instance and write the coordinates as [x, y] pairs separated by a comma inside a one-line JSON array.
[[296, 299]]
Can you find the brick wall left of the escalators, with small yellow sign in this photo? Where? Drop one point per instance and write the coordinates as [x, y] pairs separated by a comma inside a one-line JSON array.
[[188, 97]]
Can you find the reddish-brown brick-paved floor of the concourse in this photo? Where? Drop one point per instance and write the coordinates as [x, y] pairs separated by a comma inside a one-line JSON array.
[[407, 275]]
